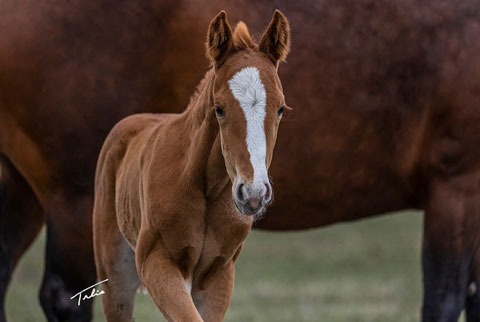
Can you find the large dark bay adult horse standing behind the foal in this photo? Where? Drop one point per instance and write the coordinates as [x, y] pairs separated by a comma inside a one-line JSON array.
[[386, 97]]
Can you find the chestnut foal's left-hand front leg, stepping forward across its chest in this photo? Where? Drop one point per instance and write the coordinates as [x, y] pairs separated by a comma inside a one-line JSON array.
[[164, 280]]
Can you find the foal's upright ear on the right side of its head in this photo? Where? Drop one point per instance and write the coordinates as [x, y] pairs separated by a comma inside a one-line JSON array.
[[276, 39]]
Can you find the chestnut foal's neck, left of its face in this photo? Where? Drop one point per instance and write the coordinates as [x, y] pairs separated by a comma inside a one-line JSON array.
[[205, 160]]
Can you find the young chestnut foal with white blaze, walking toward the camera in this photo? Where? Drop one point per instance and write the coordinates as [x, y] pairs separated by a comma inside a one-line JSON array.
[[165, 182]]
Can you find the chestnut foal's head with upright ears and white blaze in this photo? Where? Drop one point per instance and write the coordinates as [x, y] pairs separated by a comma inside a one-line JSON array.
[[249, 104]]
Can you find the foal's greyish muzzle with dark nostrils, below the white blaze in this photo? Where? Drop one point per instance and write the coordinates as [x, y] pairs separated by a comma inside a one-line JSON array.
[[252, 199]]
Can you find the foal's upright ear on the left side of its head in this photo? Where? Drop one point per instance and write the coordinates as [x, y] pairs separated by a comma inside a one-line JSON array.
[[219, 40]]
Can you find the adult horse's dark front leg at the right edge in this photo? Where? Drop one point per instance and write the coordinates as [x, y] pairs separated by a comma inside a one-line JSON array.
[[452, 225]]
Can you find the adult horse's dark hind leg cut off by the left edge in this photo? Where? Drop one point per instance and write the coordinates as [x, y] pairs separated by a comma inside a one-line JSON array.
[[21, 218]]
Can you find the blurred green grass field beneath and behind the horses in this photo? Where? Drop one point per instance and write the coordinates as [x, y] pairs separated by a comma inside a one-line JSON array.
[[363, 271]]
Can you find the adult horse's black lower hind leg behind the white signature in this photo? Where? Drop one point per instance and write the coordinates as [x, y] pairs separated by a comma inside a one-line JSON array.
[[69, 259]]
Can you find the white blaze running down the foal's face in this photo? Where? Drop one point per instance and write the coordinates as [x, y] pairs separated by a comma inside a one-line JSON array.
[[248, 89]]
